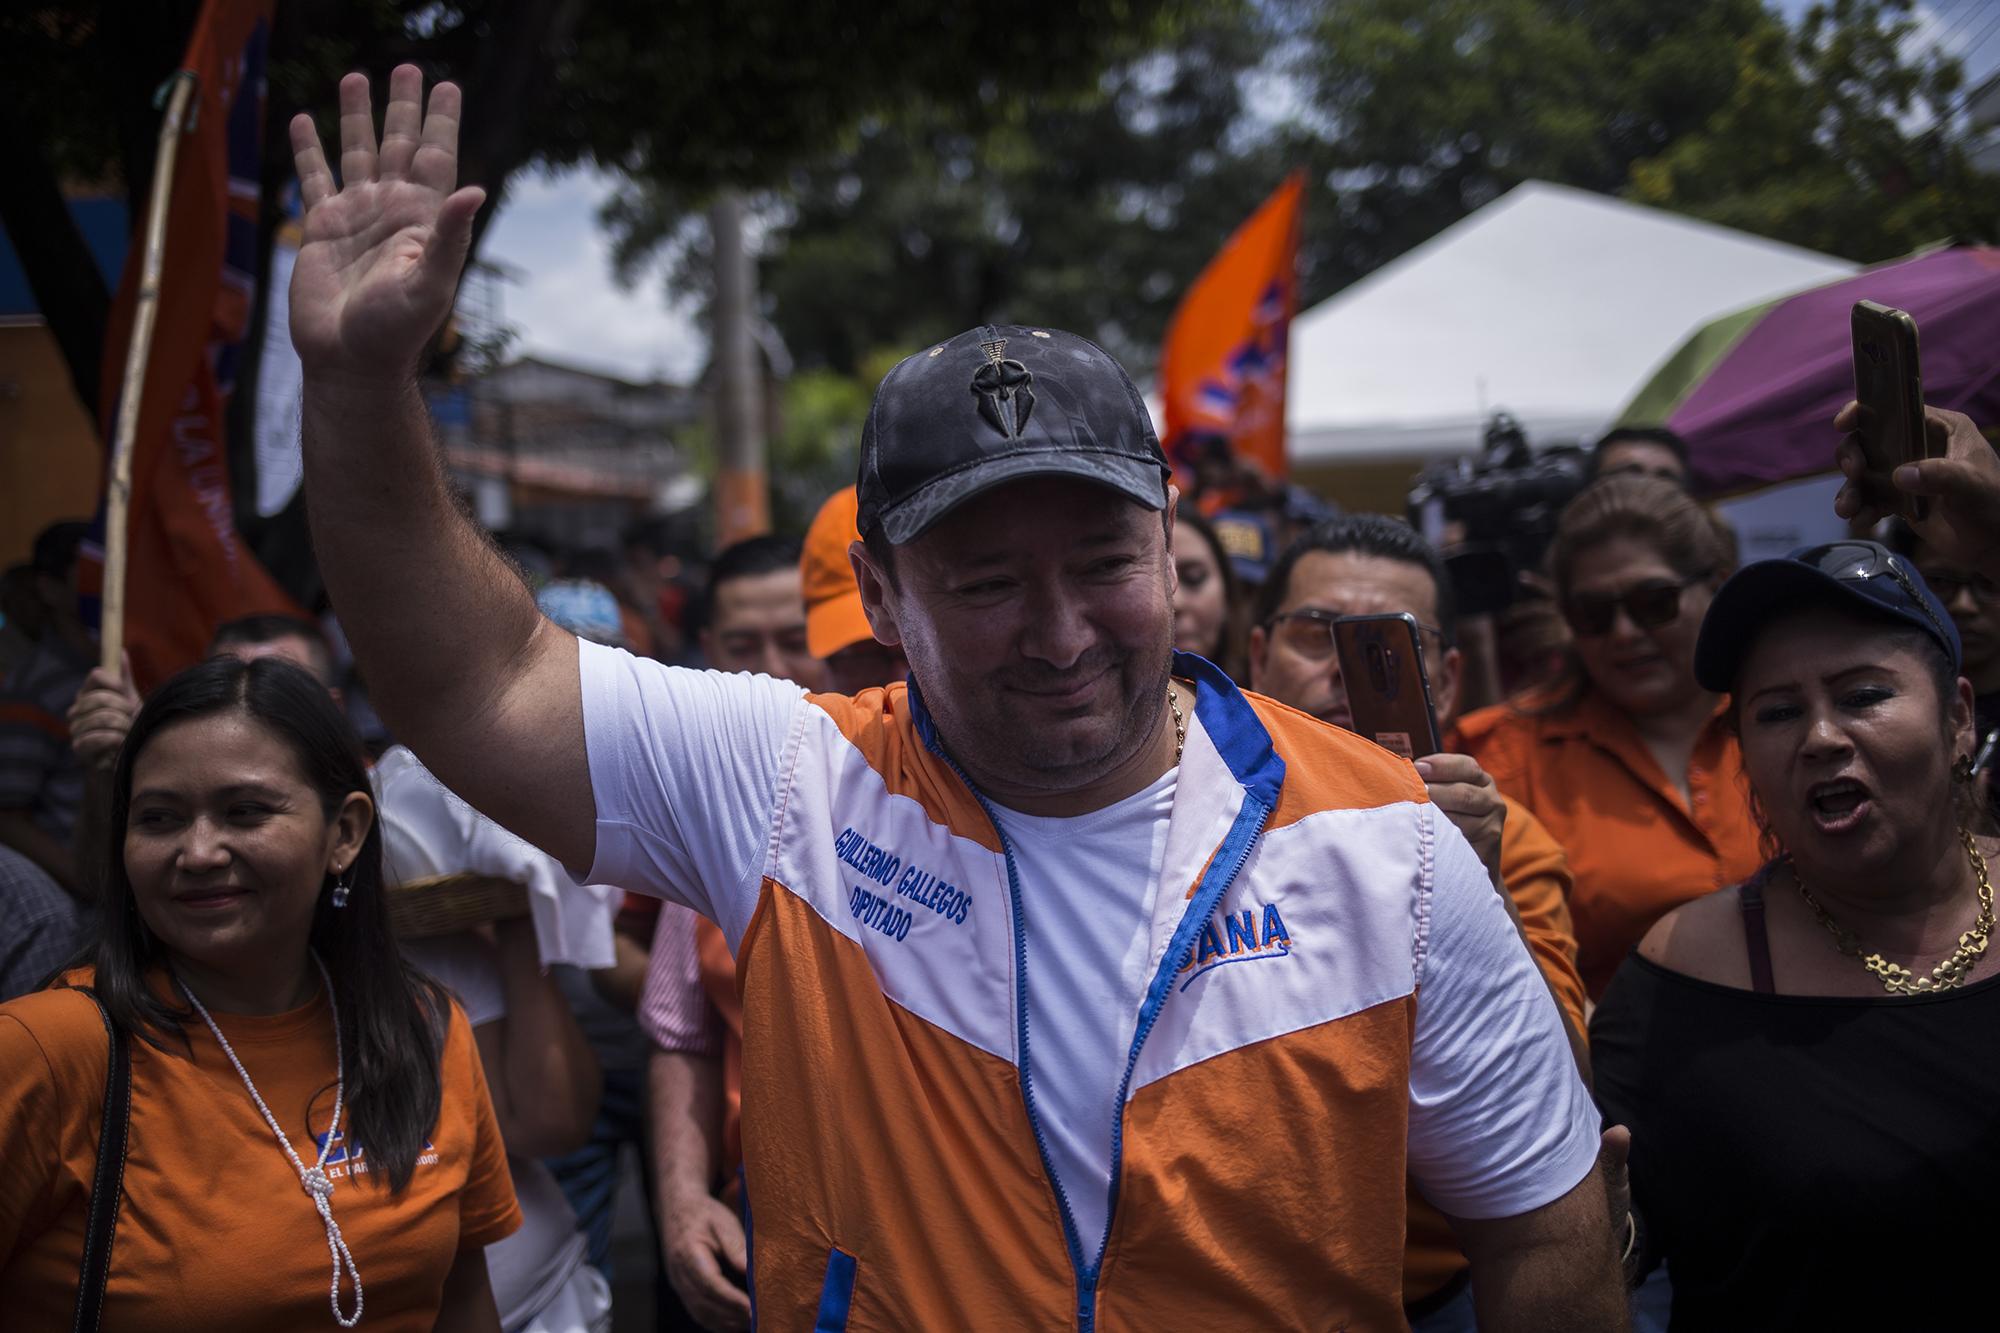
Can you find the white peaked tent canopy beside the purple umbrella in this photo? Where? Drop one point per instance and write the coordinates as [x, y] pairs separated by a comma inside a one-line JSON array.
[[1549, 303]]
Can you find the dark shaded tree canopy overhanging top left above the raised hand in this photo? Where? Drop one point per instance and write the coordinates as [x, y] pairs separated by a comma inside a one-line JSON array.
[[683, 95]]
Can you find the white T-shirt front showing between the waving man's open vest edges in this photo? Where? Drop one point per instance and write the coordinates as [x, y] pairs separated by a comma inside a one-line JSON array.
[[1083, 982]]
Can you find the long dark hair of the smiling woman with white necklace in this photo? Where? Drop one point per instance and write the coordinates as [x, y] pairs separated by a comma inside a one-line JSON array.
[[391, 1018]]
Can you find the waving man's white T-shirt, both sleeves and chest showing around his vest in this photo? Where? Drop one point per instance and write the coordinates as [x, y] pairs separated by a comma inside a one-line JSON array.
[[687, 768]]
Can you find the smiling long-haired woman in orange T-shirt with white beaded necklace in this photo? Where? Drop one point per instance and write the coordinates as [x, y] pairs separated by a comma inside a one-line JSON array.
[[311, 1138]]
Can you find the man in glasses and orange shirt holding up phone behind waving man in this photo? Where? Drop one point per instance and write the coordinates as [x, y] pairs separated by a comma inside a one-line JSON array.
[[1373, 565]]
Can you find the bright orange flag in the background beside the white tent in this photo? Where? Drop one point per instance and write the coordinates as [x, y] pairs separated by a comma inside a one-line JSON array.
[[1223, 363]]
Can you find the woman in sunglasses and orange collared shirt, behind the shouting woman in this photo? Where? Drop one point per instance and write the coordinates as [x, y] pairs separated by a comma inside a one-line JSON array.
[[1629, 762]]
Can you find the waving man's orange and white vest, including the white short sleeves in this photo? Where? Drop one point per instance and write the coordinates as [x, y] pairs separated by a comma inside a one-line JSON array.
[[1337, 1002]]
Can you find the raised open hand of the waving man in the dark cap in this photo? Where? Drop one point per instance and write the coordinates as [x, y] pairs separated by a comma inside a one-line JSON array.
[[381, 257]]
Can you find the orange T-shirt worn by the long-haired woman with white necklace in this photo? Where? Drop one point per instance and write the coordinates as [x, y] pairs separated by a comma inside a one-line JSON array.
[[215, 1230]]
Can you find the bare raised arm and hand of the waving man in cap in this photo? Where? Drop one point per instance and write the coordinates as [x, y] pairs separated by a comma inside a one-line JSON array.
[[459, 659]]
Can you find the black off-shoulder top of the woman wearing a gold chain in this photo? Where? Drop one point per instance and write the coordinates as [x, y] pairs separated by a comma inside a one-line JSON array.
[[1809, 1164]]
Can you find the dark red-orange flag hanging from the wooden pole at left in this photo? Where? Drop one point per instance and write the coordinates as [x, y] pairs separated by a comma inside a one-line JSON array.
[[189, 571]]
